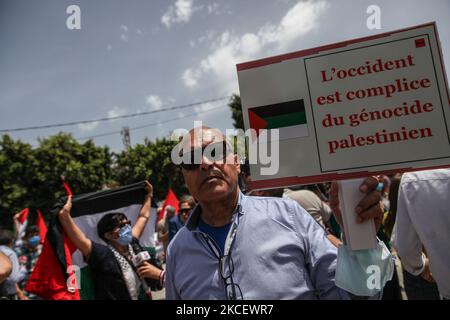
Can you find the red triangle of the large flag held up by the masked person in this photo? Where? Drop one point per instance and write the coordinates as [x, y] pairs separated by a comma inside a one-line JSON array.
[[47, 279]]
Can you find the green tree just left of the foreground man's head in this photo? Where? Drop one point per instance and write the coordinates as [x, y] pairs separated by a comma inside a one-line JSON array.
[[150, 161]]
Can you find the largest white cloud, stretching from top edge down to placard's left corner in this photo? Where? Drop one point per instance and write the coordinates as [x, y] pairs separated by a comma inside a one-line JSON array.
[[230, 49]]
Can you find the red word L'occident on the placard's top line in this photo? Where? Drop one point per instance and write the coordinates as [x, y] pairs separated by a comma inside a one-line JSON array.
[[367, 68]]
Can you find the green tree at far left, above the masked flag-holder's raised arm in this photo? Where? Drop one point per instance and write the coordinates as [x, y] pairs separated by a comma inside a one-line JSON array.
[[31, 177]]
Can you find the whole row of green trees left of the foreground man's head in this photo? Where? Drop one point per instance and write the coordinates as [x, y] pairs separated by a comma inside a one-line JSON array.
[[32, 177]]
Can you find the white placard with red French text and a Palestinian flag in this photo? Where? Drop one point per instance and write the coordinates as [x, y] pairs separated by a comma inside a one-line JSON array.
[[365, 106]]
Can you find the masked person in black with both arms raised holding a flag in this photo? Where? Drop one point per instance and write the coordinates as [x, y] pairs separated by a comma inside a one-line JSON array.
[[113, 272]]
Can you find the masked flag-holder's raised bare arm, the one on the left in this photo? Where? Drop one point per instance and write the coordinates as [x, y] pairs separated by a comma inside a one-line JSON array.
[[74, 233]]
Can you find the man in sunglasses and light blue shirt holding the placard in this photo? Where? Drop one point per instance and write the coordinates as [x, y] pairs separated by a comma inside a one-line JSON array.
[[242, 247]]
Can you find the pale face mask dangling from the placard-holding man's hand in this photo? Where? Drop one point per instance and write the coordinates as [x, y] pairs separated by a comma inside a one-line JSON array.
[[364, 272]]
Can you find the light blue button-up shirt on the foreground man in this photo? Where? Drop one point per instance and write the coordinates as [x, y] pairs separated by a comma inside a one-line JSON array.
[[278, 250]]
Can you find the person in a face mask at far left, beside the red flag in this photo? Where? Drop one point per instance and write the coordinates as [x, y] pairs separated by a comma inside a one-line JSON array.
[[28, 254]]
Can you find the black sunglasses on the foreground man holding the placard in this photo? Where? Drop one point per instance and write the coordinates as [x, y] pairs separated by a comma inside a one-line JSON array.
[[216, 151]]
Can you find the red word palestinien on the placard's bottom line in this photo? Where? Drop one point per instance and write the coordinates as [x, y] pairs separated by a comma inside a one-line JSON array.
[[379, 137]]
